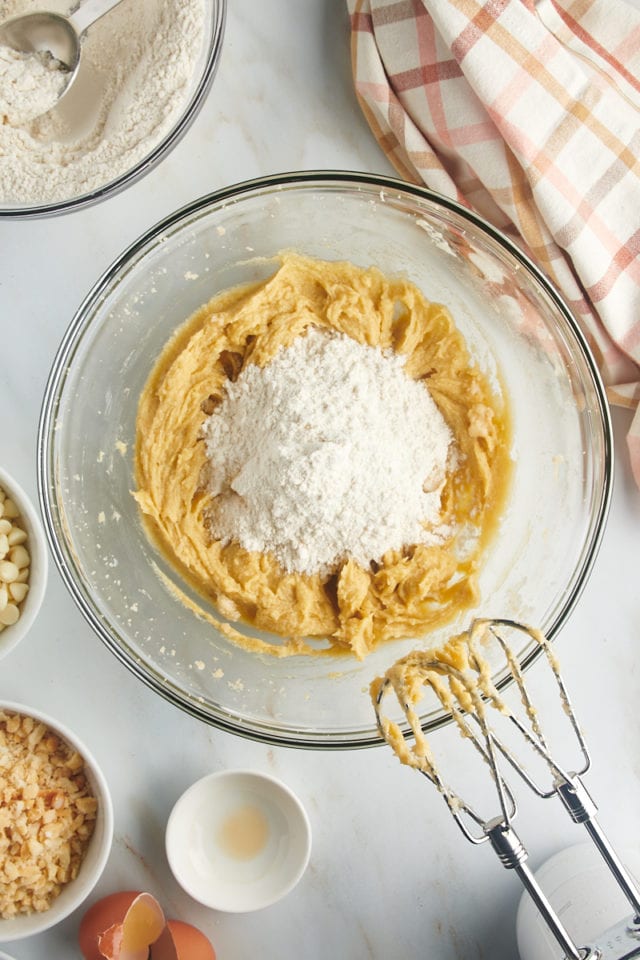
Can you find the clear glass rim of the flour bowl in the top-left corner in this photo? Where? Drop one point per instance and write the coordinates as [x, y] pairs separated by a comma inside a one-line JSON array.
[[202, 76]]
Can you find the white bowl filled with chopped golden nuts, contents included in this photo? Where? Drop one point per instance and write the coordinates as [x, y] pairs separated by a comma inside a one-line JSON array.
[[56, 822]]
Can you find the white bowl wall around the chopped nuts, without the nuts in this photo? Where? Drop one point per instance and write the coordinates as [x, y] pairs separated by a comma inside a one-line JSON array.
[[76, 891]]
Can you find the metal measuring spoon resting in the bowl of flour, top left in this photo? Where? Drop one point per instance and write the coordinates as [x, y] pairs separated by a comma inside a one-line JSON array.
[[53, 33]]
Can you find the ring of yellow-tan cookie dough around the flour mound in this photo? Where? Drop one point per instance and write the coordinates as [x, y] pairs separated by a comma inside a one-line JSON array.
[[354, 608]]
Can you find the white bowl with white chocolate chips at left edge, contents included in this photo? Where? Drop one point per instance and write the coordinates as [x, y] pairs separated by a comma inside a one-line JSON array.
[[23, 563]]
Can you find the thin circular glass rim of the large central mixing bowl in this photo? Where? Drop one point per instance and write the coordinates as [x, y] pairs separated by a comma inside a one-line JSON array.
[[335, 179]]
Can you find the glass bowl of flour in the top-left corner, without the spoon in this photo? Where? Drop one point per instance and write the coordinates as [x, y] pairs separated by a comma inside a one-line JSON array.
[[146, 68]]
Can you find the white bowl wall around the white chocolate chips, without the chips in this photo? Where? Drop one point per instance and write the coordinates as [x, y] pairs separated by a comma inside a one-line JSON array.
[[11, 636]]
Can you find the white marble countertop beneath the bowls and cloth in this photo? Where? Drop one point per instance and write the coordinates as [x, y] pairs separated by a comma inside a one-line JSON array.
[[390, 875]]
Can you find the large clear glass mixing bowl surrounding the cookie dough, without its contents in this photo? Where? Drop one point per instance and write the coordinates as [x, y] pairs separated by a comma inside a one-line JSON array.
[[515, 325]]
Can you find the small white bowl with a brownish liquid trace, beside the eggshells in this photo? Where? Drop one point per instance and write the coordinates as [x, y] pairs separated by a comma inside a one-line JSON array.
[[238, 841]]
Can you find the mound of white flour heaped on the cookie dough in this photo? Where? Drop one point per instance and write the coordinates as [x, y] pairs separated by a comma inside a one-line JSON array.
[[330, 451]]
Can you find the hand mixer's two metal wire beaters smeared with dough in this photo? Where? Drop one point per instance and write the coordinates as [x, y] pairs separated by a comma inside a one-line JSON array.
[[469, 694]]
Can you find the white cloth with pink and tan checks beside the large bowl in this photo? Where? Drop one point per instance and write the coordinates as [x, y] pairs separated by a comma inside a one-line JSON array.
[[529, 113]]
